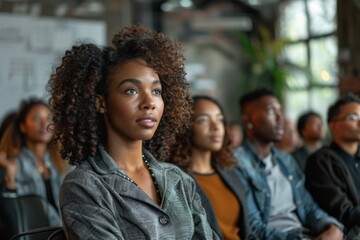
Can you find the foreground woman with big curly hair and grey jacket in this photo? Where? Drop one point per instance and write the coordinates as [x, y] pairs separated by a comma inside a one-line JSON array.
[[117, 112]]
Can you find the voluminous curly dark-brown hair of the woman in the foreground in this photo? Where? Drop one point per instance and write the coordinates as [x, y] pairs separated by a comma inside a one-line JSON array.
[[84, 73]]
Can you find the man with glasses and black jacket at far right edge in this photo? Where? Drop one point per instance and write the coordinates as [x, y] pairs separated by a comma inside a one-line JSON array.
[[333, 172]]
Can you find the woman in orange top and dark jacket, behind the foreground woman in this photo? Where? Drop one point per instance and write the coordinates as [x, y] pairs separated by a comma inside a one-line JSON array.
[[205, 155]]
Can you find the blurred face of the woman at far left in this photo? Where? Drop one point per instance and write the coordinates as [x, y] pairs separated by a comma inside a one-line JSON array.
[[35, 126]]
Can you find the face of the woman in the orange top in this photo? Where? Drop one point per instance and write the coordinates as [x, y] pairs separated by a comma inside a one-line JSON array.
[[208, 129]]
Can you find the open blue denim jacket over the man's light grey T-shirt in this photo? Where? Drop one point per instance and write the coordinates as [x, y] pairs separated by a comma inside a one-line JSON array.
[[258, 196]]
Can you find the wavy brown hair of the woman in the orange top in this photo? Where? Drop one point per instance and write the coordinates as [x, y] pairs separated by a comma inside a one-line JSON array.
[[181, 152]]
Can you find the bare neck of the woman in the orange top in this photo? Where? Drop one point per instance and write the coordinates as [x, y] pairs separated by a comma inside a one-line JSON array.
[[201, 161]]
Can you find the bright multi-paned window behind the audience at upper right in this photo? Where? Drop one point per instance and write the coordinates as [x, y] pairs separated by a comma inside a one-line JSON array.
[[310, 26]]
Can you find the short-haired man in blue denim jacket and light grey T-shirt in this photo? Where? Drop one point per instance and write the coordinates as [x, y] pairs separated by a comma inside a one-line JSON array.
[[279, 206]]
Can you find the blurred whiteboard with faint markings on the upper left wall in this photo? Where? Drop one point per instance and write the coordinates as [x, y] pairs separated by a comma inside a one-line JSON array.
[[30, 48]]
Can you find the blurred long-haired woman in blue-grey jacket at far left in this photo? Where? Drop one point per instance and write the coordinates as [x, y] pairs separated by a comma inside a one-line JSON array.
[[28, 157]]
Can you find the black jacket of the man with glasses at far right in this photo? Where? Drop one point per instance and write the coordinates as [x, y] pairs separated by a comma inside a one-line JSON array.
[[331, 185]]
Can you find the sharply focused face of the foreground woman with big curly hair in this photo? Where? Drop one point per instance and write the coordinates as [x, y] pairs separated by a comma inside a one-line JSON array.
[[133, 105]]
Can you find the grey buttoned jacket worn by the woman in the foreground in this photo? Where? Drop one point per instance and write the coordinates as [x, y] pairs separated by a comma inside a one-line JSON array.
[[98, 203]]
